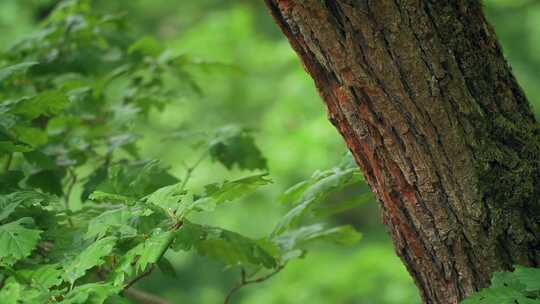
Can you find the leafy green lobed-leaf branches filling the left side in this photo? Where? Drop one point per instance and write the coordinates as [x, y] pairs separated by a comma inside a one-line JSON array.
[[64, 124]]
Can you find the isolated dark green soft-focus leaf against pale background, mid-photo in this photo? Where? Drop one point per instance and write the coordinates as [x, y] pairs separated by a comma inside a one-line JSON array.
[[235, 146]]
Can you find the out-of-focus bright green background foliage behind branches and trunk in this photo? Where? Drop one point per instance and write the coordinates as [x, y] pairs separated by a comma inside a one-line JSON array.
[[247, 73]]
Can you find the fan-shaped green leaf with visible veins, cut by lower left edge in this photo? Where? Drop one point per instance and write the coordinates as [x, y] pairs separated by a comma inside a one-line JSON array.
[[16, 240]]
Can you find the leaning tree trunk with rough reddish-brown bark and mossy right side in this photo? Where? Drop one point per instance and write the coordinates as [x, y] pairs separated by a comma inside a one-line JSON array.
[[426, 102]]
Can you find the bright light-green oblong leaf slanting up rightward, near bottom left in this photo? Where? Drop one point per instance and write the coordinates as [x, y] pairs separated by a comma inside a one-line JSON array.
[[91, 256]]
